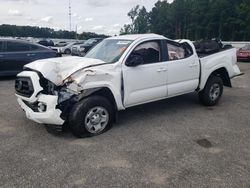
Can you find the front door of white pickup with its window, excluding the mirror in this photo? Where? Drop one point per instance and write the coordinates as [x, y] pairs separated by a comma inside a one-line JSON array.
[[145, 82]]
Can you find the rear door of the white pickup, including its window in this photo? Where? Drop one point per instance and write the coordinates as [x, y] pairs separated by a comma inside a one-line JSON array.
[[183, 69]]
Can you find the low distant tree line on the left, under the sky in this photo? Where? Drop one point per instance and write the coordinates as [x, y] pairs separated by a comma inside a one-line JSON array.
[[38, 32]]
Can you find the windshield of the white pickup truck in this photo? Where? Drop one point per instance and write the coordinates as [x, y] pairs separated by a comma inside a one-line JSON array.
[[109, 50]]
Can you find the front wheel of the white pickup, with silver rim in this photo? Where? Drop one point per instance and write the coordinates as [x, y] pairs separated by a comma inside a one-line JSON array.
[[91, 116]]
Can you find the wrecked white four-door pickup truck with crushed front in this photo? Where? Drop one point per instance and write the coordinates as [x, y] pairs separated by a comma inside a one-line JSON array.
[[120, 72]]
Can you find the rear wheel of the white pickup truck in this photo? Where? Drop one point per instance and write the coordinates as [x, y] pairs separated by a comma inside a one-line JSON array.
[[212, 92]]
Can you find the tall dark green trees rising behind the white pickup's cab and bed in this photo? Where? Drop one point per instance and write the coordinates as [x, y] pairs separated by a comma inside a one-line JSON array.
[[193, 19]]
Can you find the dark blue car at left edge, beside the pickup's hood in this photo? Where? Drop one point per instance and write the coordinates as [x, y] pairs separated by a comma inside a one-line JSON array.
[[14, 54]]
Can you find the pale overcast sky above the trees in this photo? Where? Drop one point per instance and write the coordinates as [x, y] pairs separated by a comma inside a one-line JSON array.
[[100, 16]]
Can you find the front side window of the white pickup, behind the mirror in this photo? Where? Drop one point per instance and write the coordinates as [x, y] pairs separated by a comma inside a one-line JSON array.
[[147, 52]]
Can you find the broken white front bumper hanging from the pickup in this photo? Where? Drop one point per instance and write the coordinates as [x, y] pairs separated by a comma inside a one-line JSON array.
[[50, 116]]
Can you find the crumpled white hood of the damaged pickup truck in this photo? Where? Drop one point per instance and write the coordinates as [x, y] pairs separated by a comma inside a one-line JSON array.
[[57, 70]]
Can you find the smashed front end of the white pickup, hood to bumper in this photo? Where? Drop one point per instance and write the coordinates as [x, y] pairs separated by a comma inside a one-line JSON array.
[[47, 90]]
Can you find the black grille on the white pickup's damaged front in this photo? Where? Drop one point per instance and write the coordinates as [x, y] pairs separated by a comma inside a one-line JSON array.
[[24, 86]]
